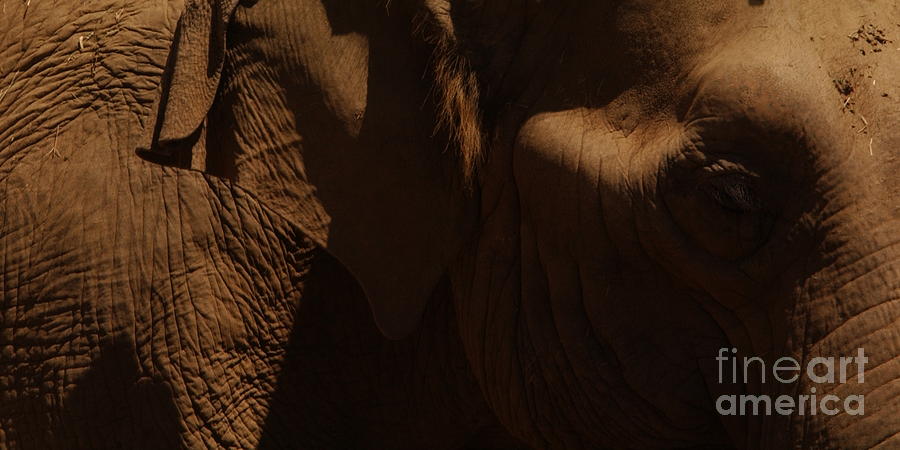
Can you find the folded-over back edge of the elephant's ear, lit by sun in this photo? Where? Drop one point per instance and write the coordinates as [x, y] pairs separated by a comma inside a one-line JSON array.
[[191, 81]]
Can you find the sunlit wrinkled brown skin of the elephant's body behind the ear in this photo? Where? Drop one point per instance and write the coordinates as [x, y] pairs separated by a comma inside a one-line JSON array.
[[130, 301]]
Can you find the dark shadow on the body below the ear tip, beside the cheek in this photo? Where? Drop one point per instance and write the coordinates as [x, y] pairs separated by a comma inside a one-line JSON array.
[[372, 378]]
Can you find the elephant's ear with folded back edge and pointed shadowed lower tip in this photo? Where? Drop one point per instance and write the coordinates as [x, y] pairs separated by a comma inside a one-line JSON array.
[[344, 156]]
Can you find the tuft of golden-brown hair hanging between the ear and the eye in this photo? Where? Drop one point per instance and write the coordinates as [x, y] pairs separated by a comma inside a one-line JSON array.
[[455, 89]]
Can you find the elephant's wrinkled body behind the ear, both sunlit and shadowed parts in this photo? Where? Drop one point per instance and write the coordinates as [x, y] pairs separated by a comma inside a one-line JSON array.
[[149, 307]]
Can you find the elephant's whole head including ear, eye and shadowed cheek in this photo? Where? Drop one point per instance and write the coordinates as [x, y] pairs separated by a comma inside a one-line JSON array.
[[630, 187]]
